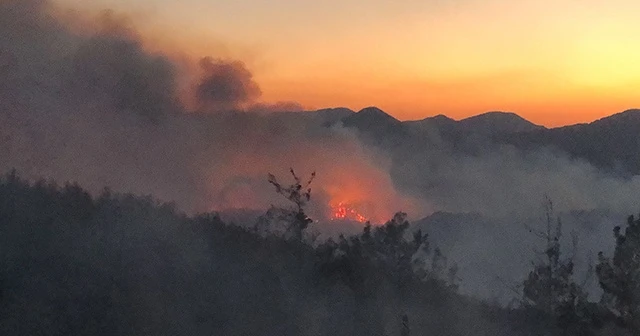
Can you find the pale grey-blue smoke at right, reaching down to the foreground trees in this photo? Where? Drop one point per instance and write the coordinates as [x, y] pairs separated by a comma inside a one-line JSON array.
[[490, 203]]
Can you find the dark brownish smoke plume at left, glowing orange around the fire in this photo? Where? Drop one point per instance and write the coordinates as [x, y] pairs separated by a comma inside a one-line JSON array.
[[87, 102]]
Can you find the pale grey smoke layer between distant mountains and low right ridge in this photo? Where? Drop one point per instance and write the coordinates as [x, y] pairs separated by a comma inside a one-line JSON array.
[[502, 181]]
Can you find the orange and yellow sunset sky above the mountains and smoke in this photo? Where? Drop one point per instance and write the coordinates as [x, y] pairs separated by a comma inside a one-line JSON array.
[[553, 62]]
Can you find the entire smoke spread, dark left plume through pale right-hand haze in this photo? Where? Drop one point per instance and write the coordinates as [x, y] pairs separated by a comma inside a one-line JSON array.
[[95, 106]]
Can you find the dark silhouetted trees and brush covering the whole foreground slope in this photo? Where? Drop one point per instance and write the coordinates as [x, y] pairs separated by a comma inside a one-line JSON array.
[[73, 264]]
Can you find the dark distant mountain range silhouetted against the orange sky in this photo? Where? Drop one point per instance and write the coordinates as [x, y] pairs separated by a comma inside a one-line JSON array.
[[612, 143]]
